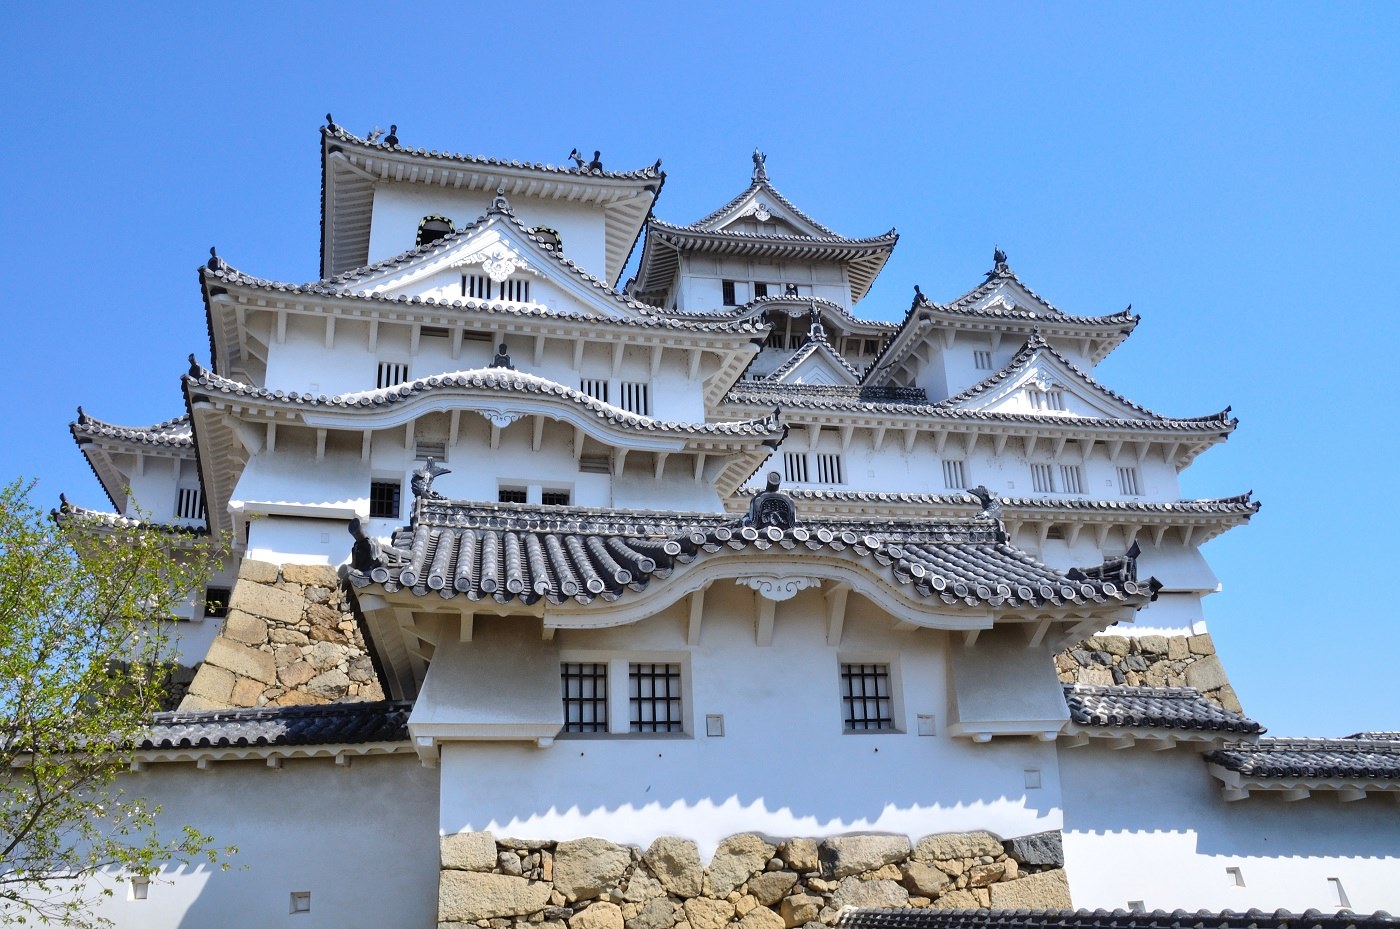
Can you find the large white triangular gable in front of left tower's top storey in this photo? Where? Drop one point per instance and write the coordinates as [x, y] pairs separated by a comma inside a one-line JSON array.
[[498, 247]]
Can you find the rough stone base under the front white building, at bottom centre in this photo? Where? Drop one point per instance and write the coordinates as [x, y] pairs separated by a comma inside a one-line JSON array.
[[752, 882]]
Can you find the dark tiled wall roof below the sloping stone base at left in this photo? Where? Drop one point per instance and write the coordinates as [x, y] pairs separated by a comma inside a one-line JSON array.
[[335, 724]]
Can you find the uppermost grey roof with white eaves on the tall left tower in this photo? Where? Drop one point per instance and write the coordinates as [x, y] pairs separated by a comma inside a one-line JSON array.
[[351, 169]]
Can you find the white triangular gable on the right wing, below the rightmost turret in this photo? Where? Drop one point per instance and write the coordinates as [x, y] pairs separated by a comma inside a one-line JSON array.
[[1041, 370]]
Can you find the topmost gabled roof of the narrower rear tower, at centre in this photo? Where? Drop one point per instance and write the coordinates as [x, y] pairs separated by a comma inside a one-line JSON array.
[[659, 267]]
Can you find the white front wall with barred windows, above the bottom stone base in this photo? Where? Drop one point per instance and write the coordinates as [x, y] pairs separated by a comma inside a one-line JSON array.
[[783, 767]]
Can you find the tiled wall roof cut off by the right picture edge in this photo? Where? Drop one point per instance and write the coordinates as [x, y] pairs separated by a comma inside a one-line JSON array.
[[1346, 759]]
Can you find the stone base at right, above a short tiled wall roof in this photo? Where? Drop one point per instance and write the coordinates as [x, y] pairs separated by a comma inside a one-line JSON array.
[[1150, 661]]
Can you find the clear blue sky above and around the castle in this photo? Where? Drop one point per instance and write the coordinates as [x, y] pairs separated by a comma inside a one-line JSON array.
[[1230, 170]]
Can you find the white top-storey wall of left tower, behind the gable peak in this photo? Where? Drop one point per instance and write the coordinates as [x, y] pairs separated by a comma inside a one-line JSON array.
[[398, 209]]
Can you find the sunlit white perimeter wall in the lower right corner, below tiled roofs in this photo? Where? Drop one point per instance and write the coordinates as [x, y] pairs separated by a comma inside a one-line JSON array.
[[1151, 826]]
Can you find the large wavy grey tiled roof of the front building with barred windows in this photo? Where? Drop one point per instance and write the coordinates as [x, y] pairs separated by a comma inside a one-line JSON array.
[[512, 556]]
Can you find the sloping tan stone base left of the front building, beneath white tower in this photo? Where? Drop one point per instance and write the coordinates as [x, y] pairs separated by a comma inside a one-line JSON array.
[[290, 639]]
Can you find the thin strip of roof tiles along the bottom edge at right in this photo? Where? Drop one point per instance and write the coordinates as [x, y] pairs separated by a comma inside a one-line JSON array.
[[1108, 920]]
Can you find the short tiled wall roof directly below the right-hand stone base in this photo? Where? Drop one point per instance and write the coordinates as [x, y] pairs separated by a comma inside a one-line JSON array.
[[1151, 709]]
